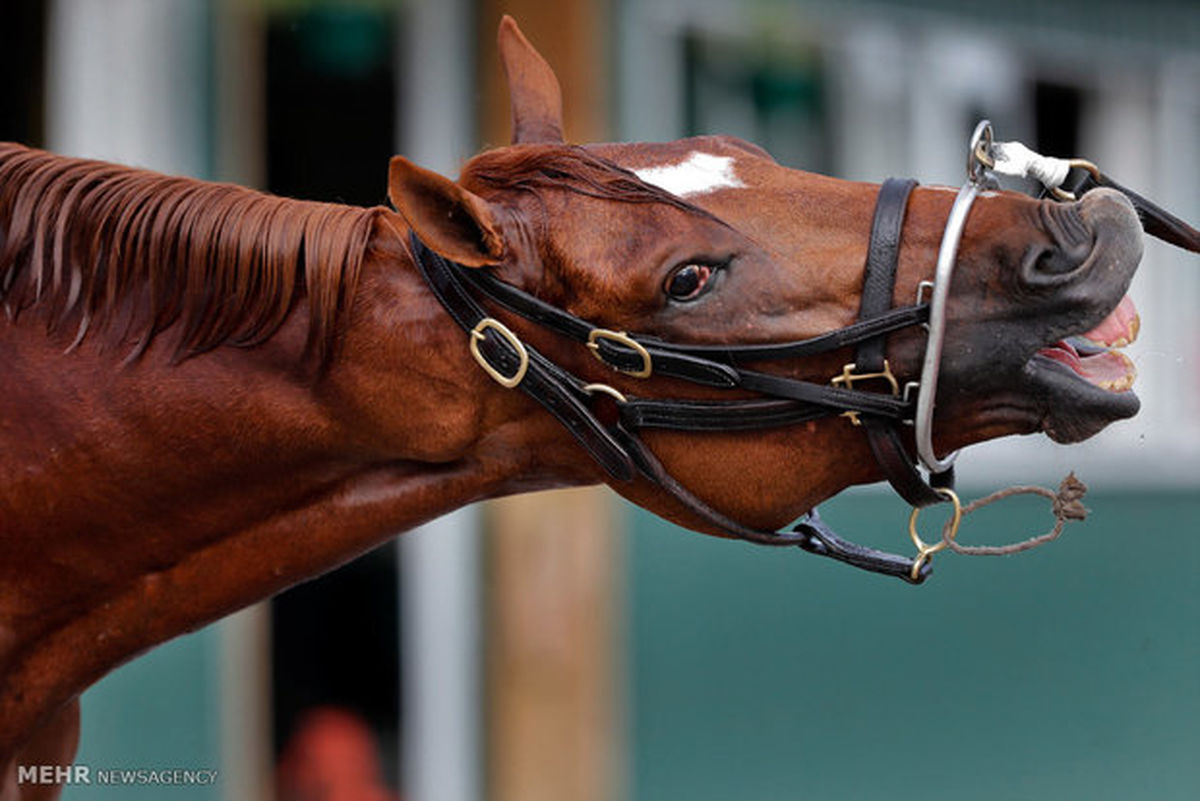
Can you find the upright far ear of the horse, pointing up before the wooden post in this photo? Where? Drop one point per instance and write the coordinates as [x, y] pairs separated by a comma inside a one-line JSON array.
[[535, 91]]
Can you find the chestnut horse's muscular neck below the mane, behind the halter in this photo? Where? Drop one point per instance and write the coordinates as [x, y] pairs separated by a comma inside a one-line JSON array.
[[142, 502]]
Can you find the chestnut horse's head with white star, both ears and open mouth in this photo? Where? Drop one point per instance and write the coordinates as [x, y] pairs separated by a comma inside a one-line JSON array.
[[710, 242]]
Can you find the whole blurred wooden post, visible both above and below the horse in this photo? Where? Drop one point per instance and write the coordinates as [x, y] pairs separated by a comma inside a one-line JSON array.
[[553, 702]]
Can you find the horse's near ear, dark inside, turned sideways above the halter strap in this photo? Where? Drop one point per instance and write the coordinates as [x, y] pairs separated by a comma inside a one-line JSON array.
[[452, 221]]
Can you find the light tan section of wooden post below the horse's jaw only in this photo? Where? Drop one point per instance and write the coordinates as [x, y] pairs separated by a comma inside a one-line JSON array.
[[553, 718]]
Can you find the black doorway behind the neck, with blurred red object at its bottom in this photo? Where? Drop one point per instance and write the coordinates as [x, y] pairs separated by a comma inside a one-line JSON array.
[[331, 123]]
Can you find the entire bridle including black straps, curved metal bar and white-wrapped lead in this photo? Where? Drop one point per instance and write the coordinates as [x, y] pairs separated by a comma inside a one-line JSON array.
[[607, 421]]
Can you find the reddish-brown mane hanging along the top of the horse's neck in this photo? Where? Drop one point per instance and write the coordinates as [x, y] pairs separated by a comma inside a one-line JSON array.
[[134, 254]]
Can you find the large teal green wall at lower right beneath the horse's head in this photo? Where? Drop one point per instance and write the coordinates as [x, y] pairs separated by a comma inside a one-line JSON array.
[[1071, 672]]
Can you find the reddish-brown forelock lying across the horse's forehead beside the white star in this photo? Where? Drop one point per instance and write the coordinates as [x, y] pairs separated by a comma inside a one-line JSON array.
[[543, 167]]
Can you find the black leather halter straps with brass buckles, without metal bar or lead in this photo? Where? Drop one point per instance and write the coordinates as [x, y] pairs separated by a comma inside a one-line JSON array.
[[613, 441]]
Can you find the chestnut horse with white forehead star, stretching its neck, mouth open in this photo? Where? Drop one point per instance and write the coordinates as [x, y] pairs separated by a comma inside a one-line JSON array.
[[211, 395]]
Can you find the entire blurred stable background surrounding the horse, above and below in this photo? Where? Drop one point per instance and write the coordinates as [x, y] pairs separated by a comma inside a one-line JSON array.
[[568, 647]]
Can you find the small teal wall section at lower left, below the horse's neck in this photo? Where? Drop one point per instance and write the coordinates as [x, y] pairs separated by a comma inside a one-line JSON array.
[[159, 713]]
